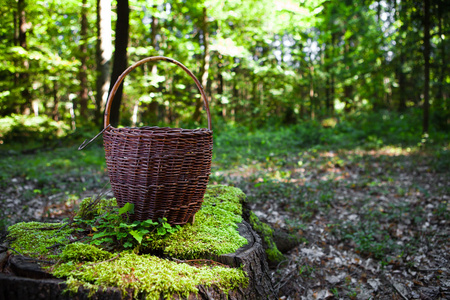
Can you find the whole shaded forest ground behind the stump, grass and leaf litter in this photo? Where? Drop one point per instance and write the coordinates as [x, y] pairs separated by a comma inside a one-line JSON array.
[[370, 205]]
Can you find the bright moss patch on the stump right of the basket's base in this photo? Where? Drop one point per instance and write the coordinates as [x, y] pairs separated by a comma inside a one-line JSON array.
[[215, 228]]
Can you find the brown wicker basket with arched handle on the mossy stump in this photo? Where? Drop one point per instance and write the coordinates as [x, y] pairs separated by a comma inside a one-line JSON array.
[[162, 171]]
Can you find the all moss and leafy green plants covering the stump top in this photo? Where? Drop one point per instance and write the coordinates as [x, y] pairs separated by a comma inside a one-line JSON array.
[[86, 264]]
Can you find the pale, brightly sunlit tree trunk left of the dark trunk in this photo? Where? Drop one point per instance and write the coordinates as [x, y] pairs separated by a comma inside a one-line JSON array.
[[103, 56]]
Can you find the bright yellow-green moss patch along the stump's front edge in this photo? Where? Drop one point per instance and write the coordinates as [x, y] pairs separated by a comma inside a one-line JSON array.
[[150, 275]]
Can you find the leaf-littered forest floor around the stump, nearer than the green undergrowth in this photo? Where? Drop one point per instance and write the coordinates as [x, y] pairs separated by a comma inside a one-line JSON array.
[[373, 224]]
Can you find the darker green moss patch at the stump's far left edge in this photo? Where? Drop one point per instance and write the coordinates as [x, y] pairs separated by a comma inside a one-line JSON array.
[[33, 238]]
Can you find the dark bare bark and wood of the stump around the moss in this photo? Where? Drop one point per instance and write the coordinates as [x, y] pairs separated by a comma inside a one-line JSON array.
[[22, 278]]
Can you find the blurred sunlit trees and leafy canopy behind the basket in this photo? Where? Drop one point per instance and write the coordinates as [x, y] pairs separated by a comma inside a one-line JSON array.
[[260, 61]]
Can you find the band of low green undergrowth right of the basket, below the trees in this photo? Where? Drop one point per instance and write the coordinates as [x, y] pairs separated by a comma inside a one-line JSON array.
[[277, 144]]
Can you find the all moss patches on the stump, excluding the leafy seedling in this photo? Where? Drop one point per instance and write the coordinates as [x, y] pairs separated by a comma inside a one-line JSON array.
[[214, 232]]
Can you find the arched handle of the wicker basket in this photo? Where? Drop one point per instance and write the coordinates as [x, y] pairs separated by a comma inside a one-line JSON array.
[[143, 61]]
